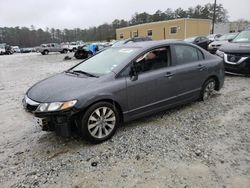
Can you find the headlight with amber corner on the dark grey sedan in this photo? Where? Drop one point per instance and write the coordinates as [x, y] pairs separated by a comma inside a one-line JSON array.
[[55, 106]]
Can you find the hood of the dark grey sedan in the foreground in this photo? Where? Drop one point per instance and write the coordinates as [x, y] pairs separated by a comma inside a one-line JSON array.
[[62, 87]]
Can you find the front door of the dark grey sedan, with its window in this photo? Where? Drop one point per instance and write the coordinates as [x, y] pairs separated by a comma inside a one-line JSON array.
[[155, 86]]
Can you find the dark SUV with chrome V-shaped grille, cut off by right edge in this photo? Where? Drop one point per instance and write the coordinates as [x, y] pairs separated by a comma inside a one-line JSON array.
[[236, 54]]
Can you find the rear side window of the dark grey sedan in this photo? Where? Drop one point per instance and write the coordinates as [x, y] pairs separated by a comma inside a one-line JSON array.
[[187, 54]]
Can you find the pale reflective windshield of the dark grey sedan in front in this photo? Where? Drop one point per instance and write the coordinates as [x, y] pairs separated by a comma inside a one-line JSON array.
[[104, 62]]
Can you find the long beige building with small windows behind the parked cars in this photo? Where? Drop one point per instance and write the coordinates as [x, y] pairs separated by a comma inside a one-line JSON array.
[[171, 29]]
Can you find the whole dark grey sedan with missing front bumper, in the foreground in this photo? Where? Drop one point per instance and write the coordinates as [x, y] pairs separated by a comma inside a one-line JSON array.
[[121, 84]]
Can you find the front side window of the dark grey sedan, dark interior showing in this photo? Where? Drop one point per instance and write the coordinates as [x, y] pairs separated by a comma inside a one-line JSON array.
[[153, 60]]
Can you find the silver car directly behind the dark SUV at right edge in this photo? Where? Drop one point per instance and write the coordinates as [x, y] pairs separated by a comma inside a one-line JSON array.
[[214, 46]]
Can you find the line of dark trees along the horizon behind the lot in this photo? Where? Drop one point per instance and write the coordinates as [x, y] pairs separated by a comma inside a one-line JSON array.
[[29, 37]]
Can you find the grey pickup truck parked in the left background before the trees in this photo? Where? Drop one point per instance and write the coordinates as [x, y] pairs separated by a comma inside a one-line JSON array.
[[52, 47]]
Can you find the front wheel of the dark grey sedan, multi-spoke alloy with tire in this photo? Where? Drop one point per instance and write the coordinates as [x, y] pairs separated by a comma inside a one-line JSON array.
[[99, 122]]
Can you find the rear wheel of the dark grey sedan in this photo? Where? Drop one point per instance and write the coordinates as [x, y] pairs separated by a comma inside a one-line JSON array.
[[208, 89]]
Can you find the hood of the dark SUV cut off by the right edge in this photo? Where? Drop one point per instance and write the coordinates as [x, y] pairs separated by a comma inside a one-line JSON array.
[[232, 47]]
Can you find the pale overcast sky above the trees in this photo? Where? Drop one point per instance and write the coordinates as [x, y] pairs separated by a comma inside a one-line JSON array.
[[86, 13]]
